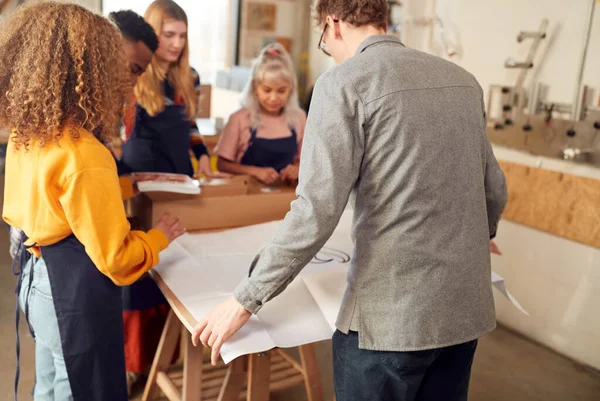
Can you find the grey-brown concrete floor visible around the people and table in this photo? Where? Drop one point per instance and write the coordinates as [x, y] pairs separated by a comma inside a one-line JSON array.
[[507, 366]]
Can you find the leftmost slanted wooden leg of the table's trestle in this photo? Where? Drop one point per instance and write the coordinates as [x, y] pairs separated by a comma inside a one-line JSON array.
[[164, 355]]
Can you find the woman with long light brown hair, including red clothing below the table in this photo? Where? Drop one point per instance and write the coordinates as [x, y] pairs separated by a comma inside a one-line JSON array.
[[160, 141]]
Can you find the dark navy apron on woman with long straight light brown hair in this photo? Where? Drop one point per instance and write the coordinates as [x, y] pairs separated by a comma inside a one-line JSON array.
[[160, 144]]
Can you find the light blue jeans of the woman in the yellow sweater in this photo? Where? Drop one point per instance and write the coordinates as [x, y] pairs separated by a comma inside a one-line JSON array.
[[52, 381]]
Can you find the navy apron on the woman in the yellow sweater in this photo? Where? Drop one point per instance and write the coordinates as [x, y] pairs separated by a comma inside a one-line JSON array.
[[88, 308]]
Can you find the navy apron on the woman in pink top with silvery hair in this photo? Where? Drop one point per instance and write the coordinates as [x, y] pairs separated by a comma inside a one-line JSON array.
[[275, 153]]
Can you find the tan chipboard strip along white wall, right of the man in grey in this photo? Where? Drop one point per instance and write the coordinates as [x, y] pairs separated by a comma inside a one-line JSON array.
[[561, 204]]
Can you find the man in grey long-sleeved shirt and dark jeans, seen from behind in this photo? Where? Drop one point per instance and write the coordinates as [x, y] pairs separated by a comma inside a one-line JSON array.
[[406, 131]]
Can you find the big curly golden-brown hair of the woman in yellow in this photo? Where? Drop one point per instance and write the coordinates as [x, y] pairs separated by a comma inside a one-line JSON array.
[[67, 65]]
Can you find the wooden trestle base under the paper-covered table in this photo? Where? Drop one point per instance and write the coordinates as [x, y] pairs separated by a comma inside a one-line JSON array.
[[250, 377]]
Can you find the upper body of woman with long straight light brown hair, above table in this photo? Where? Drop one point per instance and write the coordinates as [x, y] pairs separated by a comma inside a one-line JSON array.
[[167, 102]]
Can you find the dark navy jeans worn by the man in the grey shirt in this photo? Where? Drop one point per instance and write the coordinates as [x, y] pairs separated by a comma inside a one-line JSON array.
[[434, 375]]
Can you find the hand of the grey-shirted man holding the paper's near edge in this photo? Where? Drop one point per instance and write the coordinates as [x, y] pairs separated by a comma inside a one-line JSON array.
[[219, 325]]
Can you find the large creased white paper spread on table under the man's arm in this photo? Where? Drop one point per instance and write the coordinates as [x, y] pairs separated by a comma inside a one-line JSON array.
[[203, 269]]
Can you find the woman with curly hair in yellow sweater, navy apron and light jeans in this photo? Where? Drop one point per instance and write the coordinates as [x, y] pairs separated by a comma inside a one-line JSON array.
[[61, 96]]
